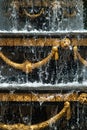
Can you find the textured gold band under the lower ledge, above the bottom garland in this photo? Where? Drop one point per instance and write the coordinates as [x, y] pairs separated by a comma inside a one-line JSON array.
[[31, 97]]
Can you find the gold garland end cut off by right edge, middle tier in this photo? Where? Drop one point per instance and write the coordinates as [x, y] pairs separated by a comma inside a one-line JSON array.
[[78, 56]]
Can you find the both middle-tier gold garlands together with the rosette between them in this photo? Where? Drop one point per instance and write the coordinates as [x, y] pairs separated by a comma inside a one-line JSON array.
[[28, 66]]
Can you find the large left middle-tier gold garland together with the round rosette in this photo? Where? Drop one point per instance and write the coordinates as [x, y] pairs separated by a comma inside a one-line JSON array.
[[28, 66]]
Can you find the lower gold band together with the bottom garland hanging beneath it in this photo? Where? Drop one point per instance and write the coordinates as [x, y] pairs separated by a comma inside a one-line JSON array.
[[66, 111]]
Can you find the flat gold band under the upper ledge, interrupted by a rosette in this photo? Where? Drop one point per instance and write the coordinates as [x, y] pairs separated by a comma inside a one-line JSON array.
[[39, 42]]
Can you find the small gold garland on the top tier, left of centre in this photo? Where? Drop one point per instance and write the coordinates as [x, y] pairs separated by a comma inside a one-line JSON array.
[[33, 16]]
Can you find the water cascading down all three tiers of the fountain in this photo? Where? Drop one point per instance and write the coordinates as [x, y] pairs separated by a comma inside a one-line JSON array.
[[59, 16]]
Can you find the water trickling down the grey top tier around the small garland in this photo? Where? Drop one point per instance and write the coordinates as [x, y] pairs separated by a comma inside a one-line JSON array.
[[58, 15]]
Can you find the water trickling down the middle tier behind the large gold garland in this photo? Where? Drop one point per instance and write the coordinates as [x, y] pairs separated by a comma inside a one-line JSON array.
[[65, 70]]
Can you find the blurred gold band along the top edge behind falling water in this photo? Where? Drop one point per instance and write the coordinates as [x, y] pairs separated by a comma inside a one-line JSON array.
[[46, 3]]
